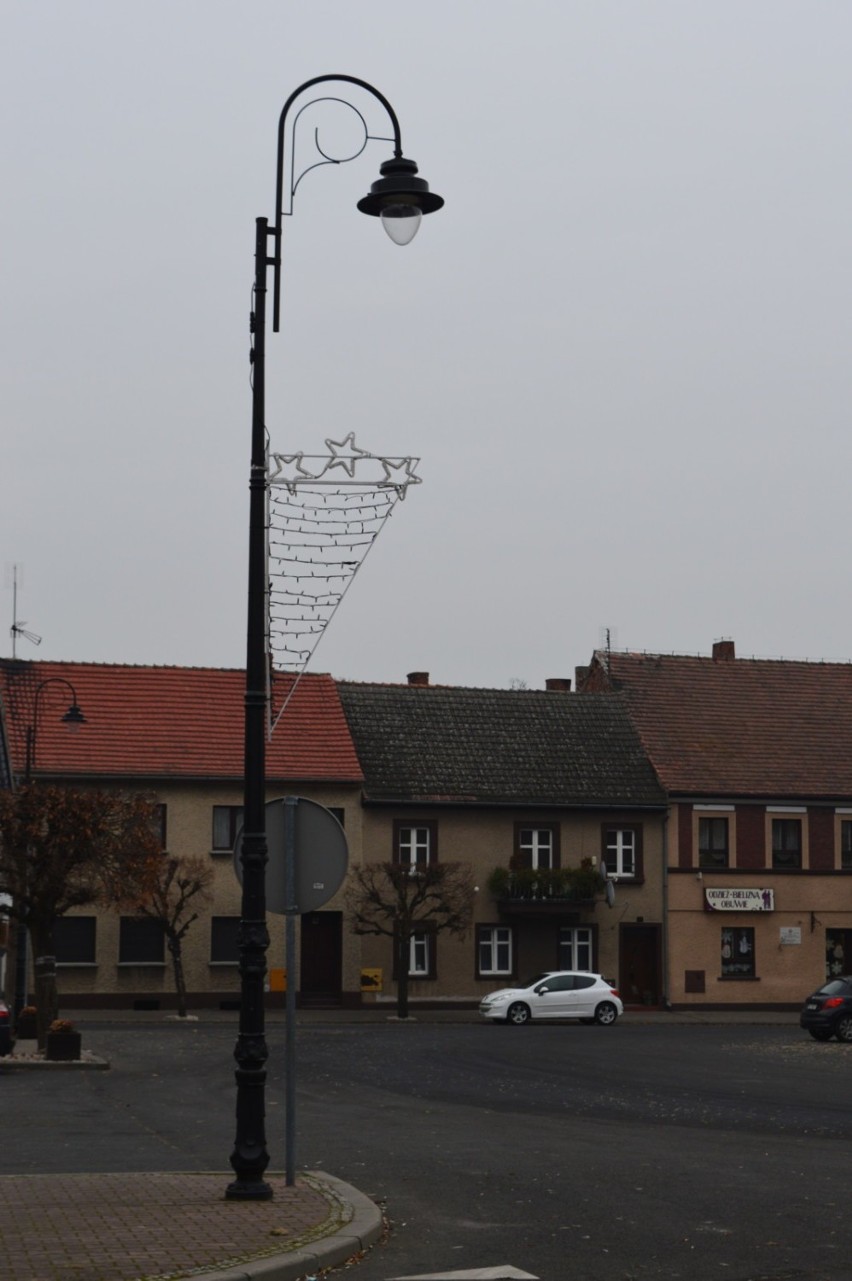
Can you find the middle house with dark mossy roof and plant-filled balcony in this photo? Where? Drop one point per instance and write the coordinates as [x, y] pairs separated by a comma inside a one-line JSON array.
[[534, 791]]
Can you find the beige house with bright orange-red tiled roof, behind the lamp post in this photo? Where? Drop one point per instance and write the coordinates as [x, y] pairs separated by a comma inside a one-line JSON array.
[[176, 735]]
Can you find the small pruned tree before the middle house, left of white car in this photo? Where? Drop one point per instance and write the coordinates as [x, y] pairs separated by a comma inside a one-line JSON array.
[[400, 900]]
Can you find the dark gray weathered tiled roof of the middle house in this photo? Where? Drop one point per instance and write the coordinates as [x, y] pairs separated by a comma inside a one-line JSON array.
[[522, 747]]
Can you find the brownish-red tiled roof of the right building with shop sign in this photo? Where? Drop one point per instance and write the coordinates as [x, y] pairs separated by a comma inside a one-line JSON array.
[[740, 727]]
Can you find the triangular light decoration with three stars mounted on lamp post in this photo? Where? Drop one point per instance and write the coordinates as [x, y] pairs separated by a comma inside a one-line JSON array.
[[325, 514]]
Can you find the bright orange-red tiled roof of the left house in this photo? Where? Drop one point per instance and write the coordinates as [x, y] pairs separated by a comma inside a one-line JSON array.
[[170, 722]]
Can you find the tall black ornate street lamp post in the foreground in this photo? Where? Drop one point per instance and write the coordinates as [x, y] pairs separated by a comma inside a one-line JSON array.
[[399, 198]]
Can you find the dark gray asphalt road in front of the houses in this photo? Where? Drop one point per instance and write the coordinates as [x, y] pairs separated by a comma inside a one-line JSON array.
[[634, 1152]]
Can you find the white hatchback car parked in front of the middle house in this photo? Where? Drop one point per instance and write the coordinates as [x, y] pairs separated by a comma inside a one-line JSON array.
[[557, 995]]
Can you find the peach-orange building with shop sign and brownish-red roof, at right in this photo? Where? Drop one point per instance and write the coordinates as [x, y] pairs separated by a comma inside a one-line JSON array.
[[757, 762]]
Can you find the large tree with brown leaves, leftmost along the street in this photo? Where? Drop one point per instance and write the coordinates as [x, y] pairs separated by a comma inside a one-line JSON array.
[[63, 849]]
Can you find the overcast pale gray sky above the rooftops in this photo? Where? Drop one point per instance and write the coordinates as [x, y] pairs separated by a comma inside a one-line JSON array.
[[622, 350]]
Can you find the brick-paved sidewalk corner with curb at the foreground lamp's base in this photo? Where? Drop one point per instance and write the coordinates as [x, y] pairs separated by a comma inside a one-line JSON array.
[[140, 1228]]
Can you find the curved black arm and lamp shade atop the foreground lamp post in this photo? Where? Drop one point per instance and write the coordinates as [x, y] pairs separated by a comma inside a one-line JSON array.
[[398, 186]]
